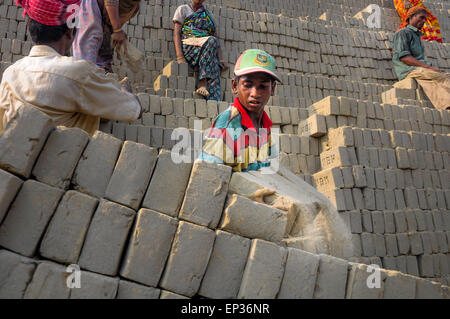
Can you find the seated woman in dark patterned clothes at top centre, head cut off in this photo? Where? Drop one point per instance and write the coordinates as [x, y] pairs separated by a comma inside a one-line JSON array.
[[196, 43]]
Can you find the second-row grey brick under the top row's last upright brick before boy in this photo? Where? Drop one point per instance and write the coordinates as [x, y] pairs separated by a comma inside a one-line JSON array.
[[188, 260]]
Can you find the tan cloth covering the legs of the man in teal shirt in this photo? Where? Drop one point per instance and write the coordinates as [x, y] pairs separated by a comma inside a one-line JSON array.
[[436, 86]]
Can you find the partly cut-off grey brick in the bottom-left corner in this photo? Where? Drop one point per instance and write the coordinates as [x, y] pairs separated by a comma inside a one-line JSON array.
[[15, 274]]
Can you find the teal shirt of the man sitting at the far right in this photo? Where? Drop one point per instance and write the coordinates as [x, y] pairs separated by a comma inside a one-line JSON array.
[[407, 42]]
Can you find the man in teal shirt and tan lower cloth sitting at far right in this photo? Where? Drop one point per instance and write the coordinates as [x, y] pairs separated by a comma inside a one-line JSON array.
[[409, 60]]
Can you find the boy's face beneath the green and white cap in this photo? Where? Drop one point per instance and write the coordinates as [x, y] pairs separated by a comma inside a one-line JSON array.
[[254, 90]]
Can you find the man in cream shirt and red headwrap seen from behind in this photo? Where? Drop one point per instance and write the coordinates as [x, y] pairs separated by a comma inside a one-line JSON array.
[[74, 93]]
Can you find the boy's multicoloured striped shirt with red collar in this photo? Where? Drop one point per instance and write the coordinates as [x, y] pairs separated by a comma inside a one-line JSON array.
[[233, 140]]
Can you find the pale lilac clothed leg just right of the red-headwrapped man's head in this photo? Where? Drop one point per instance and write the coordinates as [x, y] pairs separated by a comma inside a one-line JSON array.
[[89, 36]]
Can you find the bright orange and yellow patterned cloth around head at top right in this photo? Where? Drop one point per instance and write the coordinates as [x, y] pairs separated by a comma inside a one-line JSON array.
[[431, 29]]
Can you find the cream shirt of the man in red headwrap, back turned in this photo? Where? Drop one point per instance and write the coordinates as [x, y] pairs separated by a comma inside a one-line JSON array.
[[74, 93]]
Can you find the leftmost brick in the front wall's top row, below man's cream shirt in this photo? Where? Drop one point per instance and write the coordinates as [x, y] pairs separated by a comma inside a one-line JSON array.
[[22, 140]]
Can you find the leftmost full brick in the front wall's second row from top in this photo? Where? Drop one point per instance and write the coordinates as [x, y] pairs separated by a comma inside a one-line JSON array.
[[28, 217]]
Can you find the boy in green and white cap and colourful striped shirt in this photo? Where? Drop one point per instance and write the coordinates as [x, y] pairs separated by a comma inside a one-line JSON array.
[[240, 136]]
